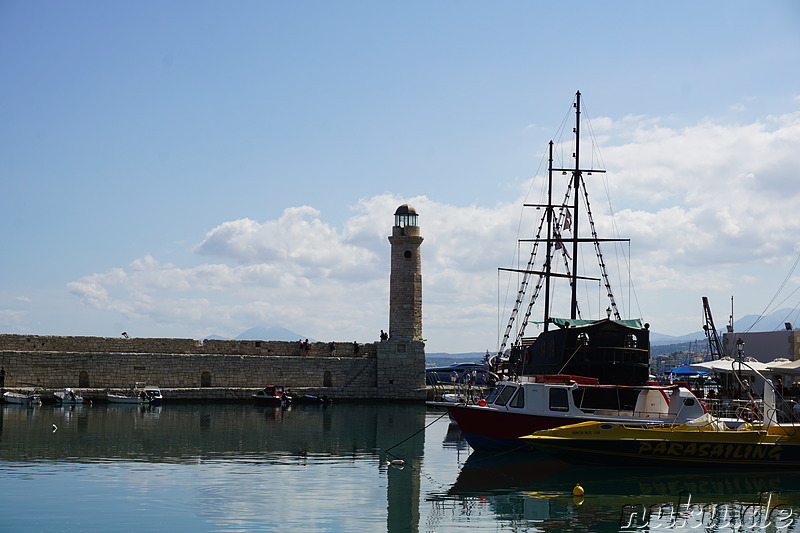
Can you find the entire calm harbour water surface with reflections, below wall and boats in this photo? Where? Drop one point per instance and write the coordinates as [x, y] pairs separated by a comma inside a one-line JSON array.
[[241, 468]]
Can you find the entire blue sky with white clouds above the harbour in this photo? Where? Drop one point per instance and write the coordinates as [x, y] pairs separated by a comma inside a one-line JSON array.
[[182, 169]]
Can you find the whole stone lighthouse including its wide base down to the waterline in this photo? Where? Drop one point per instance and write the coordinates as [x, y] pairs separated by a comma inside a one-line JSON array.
[[401, 358]]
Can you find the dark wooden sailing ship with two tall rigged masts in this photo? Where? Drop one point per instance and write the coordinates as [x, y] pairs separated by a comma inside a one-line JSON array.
[[613, 350]]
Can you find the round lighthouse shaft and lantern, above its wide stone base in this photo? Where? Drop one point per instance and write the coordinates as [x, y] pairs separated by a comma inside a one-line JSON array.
[[405, 284]]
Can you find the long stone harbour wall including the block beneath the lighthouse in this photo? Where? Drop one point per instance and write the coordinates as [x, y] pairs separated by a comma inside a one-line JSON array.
[[217, 369]]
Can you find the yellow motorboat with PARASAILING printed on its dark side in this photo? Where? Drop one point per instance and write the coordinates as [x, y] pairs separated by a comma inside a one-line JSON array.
[[704, 442]]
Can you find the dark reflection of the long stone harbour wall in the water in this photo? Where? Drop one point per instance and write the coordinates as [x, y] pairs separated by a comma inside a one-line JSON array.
[[184, 433]]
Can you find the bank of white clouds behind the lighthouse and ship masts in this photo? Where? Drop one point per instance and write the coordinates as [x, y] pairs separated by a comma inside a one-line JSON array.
[[707, 207]]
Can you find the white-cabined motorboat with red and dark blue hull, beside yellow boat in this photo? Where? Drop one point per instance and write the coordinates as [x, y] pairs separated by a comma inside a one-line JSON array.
[[531, 403]]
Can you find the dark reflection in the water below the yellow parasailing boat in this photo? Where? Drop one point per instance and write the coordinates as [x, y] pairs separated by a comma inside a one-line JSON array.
[[522, 491]]
